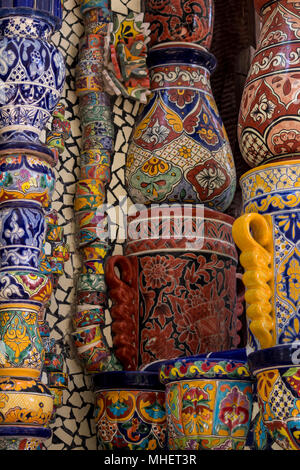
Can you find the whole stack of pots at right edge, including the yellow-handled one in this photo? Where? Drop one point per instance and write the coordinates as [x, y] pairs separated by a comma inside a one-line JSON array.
[[267, 232]]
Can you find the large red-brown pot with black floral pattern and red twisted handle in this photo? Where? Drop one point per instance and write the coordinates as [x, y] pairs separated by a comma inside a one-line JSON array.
[[176, 291]]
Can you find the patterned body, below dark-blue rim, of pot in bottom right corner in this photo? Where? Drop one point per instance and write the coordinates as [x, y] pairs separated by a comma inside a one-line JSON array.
[[279, 402]]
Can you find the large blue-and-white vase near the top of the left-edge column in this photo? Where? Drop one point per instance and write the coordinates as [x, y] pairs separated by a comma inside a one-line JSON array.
[[32, 75]]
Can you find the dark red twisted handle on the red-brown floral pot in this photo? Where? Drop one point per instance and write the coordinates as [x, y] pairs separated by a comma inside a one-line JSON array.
[[124, 310]]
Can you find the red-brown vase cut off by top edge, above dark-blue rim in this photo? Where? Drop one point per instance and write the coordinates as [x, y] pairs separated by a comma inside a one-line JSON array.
[[180, 20]]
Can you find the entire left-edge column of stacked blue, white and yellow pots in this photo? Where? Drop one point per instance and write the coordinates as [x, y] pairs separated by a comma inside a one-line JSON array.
[[32, 78]]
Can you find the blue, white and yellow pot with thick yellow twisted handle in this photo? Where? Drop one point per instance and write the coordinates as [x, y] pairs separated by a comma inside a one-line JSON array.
[[267, 235]]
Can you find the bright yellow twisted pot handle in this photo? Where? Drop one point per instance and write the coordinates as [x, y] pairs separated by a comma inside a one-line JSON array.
[[253, 235]]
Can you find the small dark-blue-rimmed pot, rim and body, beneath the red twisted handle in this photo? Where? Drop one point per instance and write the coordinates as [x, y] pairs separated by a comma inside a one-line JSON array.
[[129, 411]]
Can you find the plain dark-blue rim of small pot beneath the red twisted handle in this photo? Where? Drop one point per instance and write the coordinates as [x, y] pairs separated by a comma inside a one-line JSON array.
[[124, 380]]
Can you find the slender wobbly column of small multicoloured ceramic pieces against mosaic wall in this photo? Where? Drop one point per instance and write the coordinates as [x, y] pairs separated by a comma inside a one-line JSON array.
[[95, 161]]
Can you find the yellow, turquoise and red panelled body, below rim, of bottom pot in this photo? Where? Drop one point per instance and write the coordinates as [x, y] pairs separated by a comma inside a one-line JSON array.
[[208, 414]]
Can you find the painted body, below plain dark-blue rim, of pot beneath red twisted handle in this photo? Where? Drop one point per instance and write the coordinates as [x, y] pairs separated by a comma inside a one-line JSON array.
[[133, 420]]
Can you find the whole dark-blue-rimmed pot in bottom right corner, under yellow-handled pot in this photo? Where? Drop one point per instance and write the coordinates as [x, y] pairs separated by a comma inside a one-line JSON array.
[[277, 372]]
